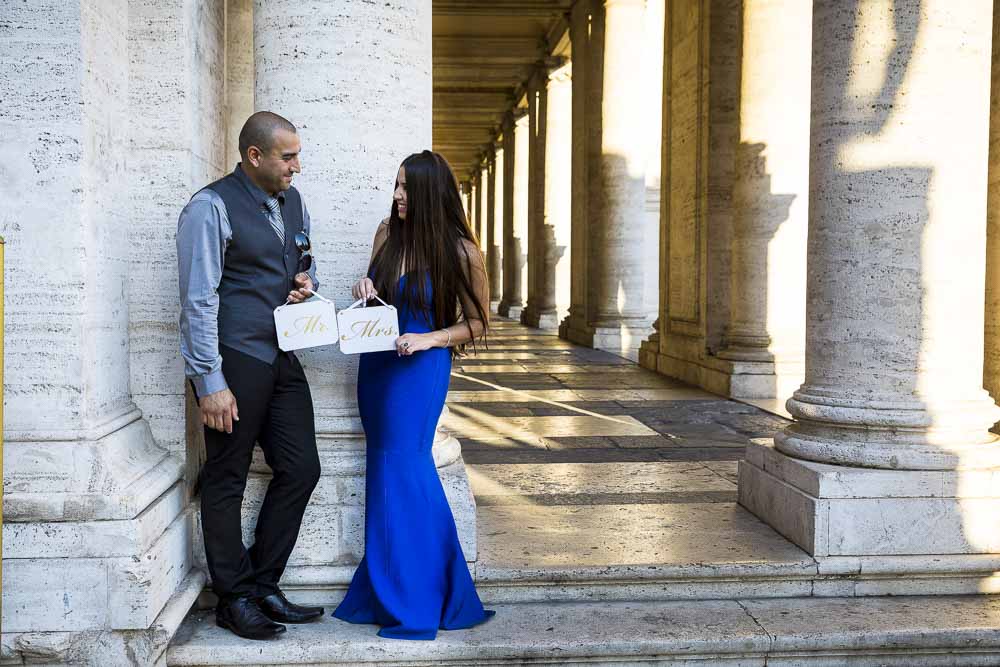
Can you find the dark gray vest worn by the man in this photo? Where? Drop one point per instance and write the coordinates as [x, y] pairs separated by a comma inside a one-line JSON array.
[[258, 273]]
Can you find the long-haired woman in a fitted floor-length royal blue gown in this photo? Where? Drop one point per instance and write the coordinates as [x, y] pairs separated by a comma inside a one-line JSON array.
[[425, 261]]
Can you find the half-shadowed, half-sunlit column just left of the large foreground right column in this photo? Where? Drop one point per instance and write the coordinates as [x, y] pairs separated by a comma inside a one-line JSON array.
[[766, 338]]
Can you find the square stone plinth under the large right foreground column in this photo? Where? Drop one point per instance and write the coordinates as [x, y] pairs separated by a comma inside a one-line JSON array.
[[832, 510]]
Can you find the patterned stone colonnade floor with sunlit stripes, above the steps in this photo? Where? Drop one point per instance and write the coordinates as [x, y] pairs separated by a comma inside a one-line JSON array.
[[616, 467]]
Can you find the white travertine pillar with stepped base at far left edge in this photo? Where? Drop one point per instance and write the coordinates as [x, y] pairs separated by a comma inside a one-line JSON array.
[[96, 539]]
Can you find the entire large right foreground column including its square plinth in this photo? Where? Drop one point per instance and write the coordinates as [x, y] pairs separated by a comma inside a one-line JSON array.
[[894, 349]]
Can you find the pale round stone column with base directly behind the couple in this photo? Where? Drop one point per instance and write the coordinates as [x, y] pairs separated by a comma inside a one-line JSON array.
[[349, 166]]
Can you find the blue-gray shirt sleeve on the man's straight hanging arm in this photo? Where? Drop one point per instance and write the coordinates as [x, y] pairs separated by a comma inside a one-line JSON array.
[[203, 234]]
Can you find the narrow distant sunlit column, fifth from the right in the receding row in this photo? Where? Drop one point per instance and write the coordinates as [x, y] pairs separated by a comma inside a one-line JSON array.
[[515, 238]]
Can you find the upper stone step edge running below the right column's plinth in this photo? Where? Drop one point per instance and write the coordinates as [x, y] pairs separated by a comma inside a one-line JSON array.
[[724, 580]]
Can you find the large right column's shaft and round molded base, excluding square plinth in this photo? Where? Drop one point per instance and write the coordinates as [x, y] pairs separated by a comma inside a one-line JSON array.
[[895, 310]]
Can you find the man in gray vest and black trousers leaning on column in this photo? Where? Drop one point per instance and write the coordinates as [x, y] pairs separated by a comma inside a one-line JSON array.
[[238, 259]]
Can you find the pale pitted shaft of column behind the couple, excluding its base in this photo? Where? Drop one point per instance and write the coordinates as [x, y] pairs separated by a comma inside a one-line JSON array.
[[360, 96]]
